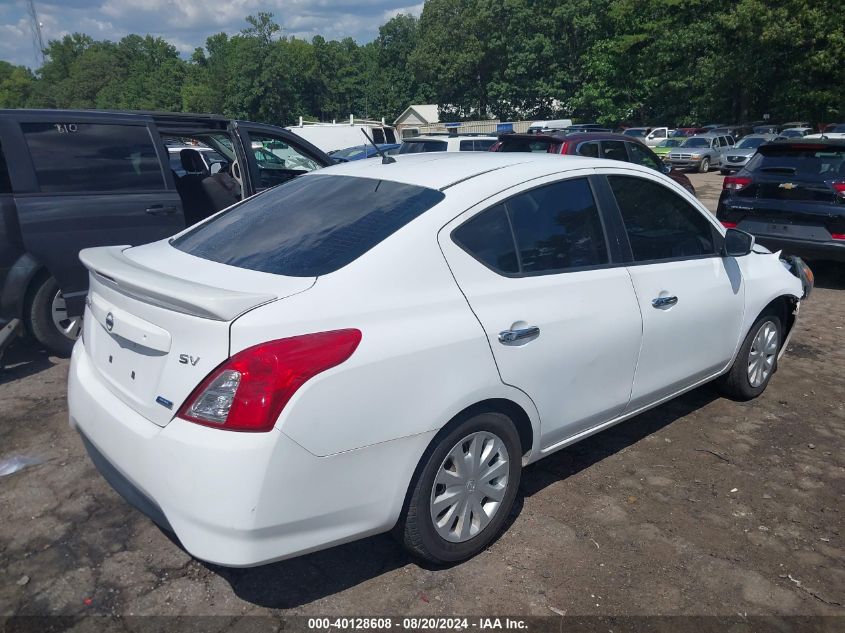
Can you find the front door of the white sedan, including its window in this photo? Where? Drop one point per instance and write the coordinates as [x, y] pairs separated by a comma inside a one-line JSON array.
[[692, 299]]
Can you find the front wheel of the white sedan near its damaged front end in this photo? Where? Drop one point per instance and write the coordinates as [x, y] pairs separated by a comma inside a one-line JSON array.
[[741, 382]]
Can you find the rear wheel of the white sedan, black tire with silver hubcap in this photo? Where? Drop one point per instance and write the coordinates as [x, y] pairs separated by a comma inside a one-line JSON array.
[[416, 528]]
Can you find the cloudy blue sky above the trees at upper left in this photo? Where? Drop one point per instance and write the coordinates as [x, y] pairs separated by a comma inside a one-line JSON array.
[[187, 23]]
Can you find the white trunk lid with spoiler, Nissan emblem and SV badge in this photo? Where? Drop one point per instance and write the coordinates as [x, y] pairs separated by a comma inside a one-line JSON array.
[[153, 335]]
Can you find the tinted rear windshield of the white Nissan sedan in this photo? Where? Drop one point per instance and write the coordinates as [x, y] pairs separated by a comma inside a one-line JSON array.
[[310, 226]]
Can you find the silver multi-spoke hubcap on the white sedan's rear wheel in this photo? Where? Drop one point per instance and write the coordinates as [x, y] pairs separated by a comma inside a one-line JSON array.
[[469, 486]]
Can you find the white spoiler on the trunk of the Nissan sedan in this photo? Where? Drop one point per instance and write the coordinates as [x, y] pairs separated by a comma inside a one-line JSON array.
[[109, 266]]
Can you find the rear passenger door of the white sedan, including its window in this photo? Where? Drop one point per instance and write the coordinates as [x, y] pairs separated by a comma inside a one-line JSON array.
[[561, 319]]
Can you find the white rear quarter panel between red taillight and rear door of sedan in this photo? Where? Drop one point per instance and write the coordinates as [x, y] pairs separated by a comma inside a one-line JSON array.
[[422, 359]]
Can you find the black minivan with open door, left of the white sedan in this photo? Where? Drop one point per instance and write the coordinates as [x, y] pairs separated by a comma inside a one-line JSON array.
[[70, 179]]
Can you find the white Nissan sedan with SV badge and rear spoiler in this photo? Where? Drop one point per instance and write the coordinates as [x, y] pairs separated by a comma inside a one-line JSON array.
[[376, 346]]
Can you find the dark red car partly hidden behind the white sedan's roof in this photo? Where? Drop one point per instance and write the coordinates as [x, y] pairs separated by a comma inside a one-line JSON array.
[[594, 144]]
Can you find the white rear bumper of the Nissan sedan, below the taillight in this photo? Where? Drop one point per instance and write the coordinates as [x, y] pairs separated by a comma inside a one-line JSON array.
[[238, 499]]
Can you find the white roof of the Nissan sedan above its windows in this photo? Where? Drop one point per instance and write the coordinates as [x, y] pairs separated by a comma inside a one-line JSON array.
[[441, 170]]
